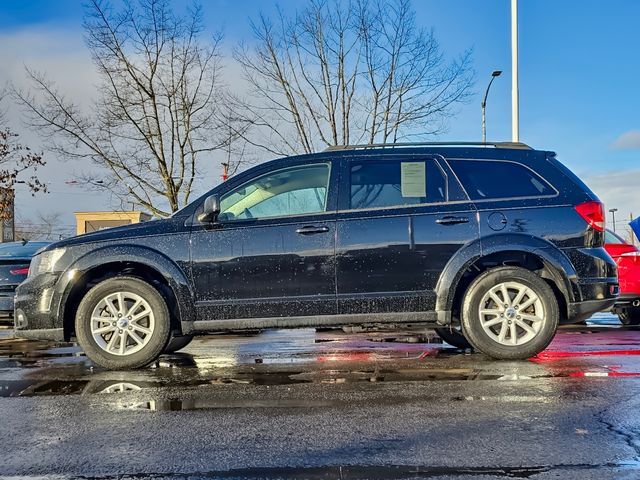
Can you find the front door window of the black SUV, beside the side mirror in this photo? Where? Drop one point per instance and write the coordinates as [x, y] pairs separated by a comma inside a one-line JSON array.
[[290, 191]]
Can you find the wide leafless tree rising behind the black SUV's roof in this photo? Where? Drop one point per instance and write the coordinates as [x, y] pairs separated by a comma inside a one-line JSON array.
[[341, 72]]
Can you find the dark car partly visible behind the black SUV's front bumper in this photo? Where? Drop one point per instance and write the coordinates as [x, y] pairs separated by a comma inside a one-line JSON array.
[[15, 258]]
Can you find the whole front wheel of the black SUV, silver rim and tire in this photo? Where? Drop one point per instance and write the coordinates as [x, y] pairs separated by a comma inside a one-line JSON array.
[[144, 337]]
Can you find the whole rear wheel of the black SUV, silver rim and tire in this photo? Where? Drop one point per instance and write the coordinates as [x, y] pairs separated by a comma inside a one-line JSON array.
[[492, 333]]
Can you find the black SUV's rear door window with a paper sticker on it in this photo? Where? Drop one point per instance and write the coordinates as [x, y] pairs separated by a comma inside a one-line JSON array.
[[388, 183]]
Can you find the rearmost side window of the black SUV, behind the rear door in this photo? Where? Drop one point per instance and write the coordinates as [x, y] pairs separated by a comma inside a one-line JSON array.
[[487, 179]]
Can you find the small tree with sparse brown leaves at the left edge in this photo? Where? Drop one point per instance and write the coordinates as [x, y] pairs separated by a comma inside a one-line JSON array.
[[16, 162]]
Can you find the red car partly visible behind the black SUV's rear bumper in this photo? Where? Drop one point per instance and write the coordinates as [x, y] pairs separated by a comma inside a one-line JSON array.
[[627, 257]]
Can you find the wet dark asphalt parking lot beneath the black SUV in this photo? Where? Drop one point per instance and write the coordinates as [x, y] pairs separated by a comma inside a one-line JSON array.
[[307, 404]]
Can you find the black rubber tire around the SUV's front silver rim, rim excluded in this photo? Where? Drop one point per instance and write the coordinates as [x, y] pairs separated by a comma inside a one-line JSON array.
[[154, 344]]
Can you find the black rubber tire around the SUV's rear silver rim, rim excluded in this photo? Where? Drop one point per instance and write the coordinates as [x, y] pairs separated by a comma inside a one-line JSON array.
[[482, 341]]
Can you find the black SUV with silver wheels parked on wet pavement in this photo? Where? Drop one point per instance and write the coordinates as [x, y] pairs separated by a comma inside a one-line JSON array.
[[494, 245]]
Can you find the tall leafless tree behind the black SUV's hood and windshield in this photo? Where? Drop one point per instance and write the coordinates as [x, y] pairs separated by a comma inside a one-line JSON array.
[[155, 118]]
